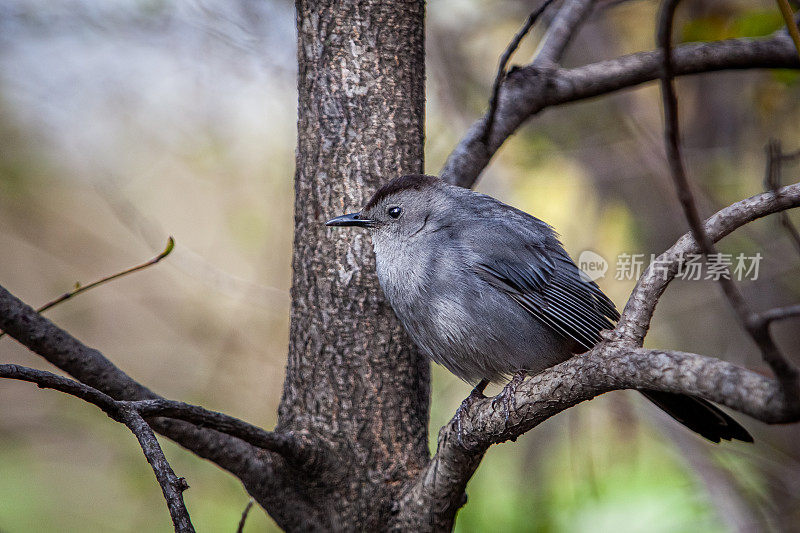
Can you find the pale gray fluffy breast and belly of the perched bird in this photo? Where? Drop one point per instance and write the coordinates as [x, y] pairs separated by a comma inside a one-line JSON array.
[[455, 317]]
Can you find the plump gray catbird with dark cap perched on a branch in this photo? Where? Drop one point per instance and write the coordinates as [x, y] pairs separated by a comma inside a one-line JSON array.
[[489, 292]]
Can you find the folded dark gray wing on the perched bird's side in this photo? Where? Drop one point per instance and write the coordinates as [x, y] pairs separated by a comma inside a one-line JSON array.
[[539, 275]]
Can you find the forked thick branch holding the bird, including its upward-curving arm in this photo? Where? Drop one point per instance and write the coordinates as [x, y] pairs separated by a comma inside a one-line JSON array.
[[432, 499]]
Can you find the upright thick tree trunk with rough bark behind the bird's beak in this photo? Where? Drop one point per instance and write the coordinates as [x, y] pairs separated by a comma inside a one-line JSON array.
[[353, 379]]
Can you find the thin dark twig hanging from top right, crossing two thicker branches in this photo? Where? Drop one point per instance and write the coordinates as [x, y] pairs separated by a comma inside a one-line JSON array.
[[784, 370]]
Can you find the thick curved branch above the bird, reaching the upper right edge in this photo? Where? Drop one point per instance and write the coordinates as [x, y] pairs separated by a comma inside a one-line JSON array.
[[528, 90]]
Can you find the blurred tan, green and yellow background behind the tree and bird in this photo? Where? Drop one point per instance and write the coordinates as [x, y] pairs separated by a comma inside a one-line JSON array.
[[124, 122]]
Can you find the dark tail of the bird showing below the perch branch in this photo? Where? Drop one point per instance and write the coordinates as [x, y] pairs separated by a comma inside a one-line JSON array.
[[699, 415]]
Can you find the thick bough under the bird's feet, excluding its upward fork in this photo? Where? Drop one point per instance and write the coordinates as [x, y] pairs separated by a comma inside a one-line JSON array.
[[609, 366]]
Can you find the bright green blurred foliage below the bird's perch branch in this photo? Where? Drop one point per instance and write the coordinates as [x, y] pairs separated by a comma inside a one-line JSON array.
[[604, 483]]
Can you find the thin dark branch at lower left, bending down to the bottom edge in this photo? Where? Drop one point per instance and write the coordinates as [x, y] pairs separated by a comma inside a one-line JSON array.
[[171, 485]]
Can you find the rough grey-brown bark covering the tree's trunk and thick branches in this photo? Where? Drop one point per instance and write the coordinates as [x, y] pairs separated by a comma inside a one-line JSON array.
[[350, 450]]
